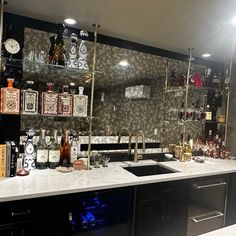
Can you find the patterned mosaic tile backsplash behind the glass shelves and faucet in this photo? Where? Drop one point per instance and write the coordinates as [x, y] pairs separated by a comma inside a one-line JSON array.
[[112, 110]]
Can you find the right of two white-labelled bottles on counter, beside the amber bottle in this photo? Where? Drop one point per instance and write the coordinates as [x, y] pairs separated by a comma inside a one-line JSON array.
[[54, 152]]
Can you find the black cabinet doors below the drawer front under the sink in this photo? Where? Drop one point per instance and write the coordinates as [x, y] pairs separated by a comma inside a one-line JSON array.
[[164, 217]]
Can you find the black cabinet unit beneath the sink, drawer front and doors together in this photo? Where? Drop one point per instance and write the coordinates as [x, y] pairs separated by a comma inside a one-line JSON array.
[[161, 209]]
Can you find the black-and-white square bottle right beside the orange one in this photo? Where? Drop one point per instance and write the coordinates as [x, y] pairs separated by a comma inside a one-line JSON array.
[[29, 99]]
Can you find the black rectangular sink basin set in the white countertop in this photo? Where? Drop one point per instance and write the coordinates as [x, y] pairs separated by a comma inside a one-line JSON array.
[[148, 170]]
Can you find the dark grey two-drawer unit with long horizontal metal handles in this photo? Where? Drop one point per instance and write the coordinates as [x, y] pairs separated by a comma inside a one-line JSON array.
[[207, 203]]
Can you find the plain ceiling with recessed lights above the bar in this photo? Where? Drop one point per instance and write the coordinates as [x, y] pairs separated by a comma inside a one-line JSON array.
[[168, 24]]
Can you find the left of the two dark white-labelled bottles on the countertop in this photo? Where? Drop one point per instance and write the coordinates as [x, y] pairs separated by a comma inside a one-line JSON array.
[[42, 152]]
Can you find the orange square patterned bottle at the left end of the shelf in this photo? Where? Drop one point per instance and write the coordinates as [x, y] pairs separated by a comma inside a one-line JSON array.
[[10, 98]]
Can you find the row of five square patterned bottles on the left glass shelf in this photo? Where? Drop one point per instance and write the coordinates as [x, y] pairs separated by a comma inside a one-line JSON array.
[[26, 102]]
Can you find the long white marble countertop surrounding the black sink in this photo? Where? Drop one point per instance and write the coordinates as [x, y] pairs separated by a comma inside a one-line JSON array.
[[51, 182]]
